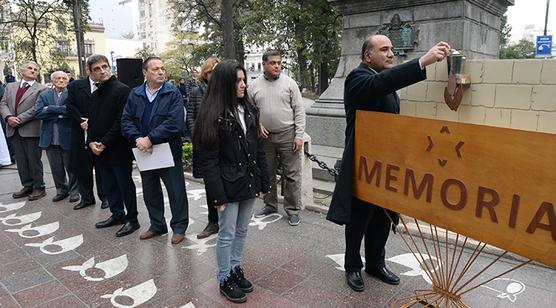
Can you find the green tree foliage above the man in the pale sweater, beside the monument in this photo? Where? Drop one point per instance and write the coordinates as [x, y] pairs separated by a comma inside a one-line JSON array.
[[306, 31]]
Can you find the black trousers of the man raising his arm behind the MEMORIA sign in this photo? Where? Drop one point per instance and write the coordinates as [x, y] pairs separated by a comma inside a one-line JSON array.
[[372, 222]]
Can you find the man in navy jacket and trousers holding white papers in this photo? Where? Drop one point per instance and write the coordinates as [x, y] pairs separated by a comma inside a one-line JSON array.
[[153, 115]]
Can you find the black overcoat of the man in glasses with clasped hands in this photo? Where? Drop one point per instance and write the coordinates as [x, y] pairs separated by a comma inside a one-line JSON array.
[[105, 113]]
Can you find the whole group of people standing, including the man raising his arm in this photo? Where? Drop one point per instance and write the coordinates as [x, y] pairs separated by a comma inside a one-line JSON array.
[[241, 136]]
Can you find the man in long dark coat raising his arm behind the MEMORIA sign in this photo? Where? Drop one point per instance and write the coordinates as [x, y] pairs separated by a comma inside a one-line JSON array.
[[372, 86]]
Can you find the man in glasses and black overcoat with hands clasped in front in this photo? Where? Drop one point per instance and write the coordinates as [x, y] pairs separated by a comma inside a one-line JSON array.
[[112, 151]]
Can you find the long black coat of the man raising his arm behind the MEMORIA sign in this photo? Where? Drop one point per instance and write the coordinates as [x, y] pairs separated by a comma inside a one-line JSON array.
[[365, 89]]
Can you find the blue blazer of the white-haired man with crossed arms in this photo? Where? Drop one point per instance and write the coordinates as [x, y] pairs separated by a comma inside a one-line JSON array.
[[55, 114]]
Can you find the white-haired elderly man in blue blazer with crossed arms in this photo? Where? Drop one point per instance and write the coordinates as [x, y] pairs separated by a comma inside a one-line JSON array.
[[55, 136]]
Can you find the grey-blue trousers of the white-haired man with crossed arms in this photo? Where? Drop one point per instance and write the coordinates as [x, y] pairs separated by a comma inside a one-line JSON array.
[[58, 160]]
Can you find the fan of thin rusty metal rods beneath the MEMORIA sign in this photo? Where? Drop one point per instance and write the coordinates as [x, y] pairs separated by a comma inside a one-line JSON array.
[[451, 277]]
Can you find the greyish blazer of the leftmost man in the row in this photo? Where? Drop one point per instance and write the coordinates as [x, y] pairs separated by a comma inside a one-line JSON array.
[[30, 125]]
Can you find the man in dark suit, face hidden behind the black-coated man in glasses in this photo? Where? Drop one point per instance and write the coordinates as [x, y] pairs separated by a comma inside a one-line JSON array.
[[81, 158]]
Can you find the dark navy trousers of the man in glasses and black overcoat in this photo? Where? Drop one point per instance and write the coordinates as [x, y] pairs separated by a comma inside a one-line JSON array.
[[119, 189]]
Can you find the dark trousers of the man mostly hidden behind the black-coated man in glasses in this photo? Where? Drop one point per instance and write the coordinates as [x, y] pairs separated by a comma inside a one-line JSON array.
[[83, 167]]
